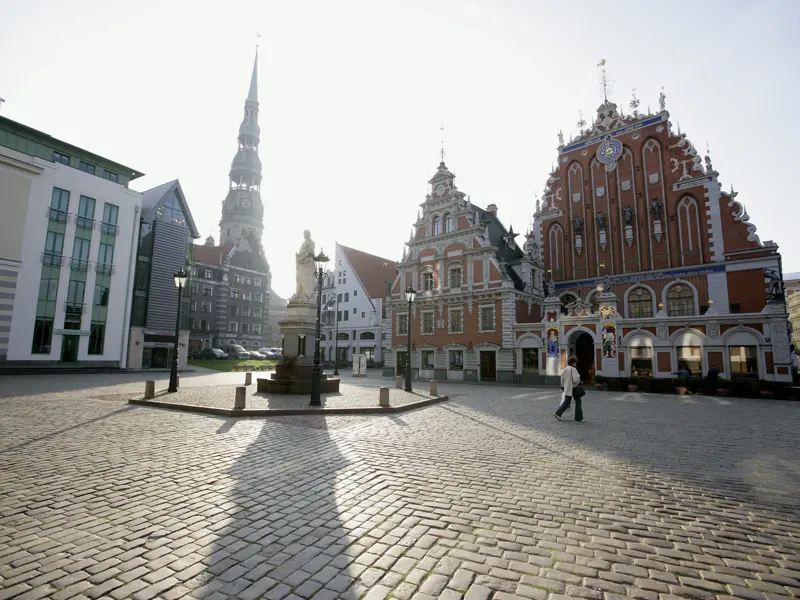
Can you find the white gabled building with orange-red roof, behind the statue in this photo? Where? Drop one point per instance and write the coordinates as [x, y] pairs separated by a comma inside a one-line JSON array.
[[355, 290]]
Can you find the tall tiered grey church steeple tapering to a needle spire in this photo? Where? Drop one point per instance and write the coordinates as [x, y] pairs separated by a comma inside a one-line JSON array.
[[242, 210]]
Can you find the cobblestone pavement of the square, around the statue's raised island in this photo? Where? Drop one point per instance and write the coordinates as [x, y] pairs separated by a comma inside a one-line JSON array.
[[488, 496]]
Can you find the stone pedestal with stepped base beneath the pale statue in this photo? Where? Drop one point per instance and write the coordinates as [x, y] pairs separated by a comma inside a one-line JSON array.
[[293, 374]]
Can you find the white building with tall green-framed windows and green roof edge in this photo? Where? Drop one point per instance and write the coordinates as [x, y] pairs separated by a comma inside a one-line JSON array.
[[70, 225]]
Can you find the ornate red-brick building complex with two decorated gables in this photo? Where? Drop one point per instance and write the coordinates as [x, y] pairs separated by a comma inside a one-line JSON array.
[[648, 266]]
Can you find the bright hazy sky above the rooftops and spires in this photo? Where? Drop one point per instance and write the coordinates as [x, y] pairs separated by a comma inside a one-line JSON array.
[[352, 94]]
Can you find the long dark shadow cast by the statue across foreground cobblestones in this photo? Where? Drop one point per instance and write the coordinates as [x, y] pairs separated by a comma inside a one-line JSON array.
[[278, 523]]
